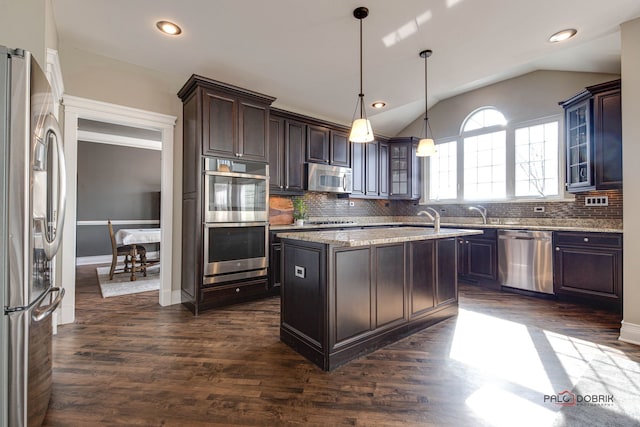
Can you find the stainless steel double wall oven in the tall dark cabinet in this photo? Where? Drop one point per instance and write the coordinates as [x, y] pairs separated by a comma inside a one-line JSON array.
[[236, 213]]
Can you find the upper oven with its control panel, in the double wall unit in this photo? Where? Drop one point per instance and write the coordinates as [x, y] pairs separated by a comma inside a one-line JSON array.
[[235, 191]]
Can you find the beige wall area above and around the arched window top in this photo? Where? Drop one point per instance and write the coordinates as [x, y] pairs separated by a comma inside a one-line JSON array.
[[522, 98]]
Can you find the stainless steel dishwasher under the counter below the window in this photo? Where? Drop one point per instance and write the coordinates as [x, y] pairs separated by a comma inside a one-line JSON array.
[[525, 260]]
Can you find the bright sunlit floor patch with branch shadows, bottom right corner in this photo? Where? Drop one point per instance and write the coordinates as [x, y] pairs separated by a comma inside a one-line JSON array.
[[608, 394]]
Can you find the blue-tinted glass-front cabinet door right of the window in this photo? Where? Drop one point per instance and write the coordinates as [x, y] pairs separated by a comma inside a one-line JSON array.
[[578, 152]]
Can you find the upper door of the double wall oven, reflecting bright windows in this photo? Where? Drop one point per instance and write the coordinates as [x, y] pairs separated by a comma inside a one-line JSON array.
[[235, 197]]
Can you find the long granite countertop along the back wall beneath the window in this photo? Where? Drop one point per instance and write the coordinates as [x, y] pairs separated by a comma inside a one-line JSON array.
[[456, 223]]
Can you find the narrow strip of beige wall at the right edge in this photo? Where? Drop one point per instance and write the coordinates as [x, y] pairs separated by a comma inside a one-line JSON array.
[[631, 177]]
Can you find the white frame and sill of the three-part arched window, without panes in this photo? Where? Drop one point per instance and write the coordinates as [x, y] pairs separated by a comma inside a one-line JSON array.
[[510, 129]]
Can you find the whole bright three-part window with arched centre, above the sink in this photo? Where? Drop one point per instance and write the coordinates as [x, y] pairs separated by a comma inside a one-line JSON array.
[[492, 159]]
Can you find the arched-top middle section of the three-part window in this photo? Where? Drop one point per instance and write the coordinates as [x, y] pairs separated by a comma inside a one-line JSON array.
[[484, 139]]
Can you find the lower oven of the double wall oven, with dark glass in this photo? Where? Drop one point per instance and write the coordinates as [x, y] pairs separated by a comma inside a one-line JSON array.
[[235, 251]]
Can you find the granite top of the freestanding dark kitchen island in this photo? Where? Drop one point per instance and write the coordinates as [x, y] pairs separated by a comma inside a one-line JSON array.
[[374, 236]]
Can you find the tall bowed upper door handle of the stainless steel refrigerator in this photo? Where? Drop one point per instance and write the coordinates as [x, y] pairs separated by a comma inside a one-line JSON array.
[[51, 129]]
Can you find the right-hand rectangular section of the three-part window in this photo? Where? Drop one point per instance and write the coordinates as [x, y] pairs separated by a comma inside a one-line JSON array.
[[536, 152]]
